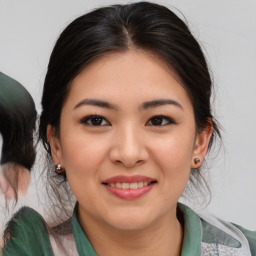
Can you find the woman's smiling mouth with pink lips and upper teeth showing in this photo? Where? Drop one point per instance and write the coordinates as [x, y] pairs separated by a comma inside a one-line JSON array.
[[129, 187]]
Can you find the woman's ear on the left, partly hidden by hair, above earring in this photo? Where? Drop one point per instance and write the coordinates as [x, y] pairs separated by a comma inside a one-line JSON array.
[[55, 145]]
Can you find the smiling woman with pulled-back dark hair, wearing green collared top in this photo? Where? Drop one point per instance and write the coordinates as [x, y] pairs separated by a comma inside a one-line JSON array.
[[127, 122]]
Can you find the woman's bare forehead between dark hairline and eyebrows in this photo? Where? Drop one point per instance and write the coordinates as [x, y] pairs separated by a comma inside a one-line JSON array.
[[130, 76]]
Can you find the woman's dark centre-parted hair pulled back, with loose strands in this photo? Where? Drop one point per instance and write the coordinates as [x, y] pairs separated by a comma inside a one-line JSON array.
[[119, 28]]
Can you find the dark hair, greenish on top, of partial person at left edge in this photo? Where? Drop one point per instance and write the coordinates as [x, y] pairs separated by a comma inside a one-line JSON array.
[[17, 123]]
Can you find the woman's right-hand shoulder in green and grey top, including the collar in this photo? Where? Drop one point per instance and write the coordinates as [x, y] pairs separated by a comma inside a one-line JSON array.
[[213, 236]]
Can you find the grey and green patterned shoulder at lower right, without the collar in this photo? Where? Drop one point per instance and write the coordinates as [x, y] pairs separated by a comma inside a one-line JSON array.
[[223, 237]]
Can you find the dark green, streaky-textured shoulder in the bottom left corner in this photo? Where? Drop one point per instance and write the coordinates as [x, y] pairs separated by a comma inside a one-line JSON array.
[[26, 234]]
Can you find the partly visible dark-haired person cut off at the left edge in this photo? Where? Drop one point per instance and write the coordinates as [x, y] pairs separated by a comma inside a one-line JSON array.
[[17, 123]]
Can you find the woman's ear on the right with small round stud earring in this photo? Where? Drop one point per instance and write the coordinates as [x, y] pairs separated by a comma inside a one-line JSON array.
[[201, 145]]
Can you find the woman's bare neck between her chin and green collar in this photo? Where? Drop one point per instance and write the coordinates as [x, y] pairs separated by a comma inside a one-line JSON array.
[[163, 237]]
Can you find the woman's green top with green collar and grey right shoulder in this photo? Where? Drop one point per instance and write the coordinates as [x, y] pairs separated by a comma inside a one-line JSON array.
[[29, 236]]
